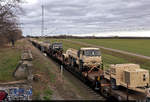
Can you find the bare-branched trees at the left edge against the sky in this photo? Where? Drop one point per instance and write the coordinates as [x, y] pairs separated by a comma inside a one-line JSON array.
[[9, 28]]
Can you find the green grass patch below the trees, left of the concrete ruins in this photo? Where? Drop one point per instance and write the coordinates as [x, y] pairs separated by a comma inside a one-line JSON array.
[[9, 58]]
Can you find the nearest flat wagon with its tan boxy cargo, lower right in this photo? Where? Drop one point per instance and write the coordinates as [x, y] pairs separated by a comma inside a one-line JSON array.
[[127, 81]]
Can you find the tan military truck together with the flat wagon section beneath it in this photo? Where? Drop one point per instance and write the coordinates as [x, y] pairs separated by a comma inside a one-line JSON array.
[[86, 61]]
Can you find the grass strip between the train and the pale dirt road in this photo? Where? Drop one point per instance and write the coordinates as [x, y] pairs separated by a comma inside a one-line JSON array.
[[108, 57]]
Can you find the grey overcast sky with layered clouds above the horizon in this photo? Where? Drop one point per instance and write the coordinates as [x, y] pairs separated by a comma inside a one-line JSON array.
[[90, 17]]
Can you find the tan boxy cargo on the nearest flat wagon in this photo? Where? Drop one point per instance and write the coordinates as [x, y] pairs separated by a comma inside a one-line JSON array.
[[128, 73]]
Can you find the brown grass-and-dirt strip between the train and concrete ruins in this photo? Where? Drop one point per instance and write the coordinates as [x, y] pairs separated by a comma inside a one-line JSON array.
[[70, 88]]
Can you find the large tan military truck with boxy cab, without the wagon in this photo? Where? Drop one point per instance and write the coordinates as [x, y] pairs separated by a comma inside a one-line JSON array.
[[85, 58]]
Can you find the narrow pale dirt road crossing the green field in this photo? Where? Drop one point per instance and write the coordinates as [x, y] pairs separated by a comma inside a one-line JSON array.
[[113, 50]]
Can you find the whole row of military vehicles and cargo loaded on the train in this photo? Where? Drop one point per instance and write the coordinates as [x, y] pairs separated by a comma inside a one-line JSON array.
[[122, 81]]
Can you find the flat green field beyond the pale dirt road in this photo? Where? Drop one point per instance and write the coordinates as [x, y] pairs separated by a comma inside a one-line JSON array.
[[139, 46]]
